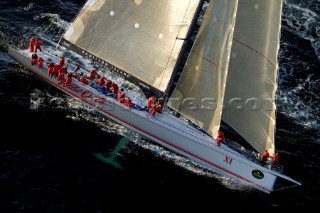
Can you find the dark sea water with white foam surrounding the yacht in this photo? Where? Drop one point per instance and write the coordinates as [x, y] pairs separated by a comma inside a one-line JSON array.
[[57, 155]]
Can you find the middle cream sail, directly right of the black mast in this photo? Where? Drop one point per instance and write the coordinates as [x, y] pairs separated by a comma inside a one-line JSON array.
[[200, 91]]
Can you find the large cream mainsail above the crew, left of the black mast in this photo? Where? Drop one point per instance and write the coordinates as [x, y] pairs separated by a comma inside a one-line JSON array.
[[137, 39]]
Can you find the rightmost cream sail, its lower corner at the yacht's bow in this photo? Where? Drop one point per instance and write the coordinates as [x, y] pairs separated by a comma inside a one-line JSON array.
[[251, 82]]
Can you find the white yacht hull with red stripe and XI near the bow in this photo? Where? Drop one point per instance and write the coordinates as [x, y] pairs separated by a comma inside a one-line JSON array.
[[167, 131]]
